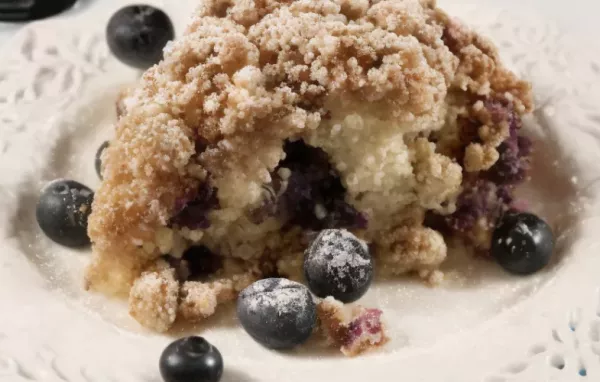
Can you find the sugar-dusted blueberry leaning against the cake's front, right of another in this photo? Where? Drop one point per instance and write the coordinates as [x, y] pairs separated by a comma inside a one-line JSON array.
[[338, 264]]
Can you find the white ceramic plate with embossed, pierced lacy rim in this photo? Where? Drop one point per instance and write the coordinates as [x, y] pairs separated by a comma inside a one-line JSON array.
[[57, 90]]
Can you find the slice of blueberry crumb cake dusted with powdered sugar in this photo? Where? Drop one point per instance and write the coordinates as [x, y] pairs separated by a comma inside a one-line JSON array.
[[270, 120]]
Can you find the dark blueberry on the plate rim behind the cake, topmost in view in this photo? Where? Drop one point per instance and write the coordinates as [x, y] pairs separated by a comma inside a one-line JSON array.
[[137, 34]]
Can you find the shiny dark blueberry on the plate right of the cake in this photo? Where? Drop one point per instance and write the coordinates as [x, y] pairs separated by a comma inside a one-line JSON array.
[[522, 243]]
